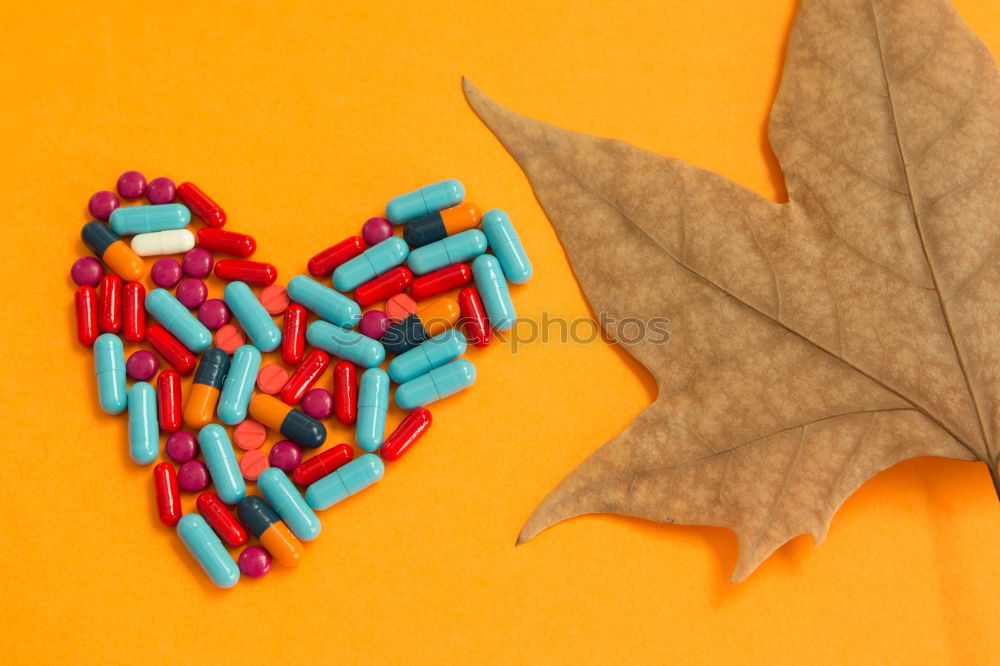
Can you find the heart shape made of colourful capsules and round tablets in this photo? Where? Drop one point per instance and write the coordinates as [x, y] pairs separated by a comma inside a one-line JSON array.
[[441, 289]]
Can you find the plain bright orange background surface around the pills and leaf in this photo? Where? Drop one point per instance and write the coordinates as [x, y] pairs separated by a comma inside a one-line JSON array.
[[302, 120]]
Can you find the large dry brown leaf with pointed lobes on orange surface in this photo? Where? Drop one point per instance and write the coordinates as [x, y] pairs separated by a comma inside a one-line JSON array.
[[814, 343]]
